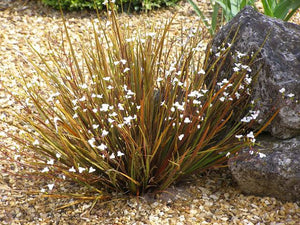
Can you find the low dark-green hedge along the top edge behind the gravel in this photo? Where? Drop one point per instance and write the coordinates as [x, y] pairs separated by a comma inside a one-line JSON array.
[[131, 5]]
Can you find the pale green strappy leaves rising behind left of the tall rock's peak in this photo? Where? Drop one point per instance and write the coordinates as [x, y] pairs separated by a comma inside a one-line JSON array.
[[229, 9]]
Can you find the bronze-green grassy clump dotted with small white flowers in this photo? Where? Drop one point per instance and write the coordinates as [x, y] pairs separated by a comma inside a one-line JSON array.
[[132, 114]]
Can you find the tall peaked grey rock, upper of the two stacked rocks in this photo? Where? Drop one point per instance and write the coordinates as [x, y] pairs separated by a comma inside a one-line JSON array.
[[279, 60]]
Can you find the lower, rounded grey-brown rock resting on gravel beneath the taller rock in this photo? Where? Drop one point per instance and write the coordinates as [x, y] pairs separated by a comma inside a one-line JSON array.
[[274, 171]]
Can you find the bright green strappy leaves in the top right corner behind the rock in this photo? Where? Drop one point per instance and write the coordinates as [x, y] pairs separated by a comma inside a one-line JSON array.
[[282, 9]]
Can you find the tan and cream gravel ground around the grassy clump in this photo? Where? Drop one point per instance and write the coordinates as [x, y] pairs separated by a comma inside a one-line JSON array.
[[211, 198]]
